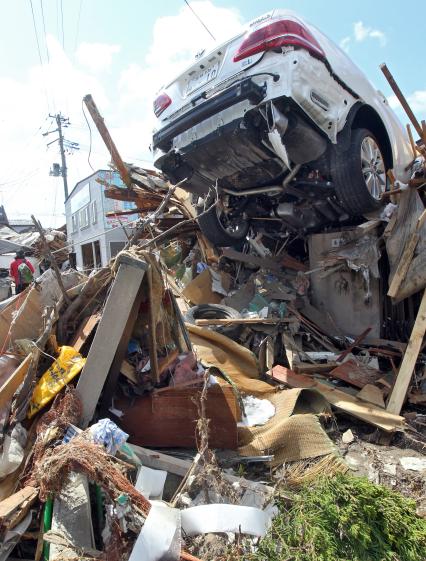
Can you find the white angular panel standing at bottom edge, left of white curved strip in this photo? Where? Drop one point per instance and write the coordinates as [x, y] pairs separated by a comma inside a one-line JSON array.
[[159, 538]]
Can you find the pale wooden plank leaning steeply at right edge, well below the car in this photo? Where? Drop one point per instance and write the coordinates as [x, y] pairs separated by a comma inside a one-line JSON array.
[[403, 379]]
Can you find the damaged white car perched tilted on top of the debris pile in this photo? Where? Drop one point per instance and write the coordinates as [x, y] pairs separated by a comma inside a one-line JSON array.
[[283, 128]]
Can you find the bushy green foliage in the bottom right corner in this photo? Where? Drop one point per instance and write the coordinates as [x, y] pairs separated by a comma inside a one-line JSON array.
[[344, 518]]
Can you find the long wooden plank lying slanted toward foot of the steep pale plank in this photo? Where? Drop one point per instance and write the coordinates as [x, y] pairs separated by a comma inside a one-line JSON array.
[[341, 401]]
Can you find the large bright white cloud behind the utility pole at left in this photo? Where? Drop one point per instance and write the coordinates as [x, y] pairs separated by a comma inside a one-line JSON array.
[[126, 105]]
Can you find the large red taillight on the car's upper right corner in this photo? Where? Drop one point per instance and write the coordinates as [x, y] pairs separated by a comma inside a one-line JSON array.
[[278, 34]]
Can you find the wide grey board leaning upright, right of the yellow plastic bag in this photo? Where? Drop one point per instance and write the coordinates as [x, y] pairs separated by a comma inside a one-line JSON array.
[[118, 308]]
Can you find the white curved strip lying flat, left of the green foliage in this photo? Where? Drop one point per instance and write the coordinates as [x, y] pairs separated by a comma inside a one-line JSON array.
[[220, 518]]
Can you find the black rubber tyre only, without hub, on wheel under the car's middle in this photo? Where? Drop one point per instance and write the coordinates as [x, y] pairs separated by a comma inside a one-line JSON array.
[[212, 227]]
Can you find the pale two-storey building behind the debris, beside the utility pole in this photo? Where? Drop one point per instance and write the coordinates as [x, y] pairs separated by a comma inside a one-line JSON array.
[[95, 237]]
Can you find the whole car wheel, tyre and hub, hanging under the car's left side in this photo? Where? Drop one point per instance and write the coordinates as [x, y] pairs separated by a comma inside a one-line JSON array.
[[219, 225]]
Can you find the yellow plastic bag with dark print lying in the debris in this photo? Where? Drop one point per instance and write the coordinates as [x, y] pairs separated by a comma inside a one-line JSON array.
[[68, 364]]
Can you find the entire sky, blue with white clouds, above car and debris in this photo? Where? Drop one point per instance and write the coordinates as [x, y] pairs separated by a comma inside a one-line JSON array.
[[121, 51]]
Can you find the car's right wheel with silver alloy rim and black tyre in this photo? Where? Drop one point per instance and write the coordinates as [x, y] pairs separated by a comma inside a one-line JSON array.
[[359, 174]]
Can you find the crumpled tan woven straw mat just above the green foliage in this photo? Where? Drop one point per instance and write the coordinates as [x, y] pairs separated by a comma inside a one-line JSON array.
[[294, 433]]
